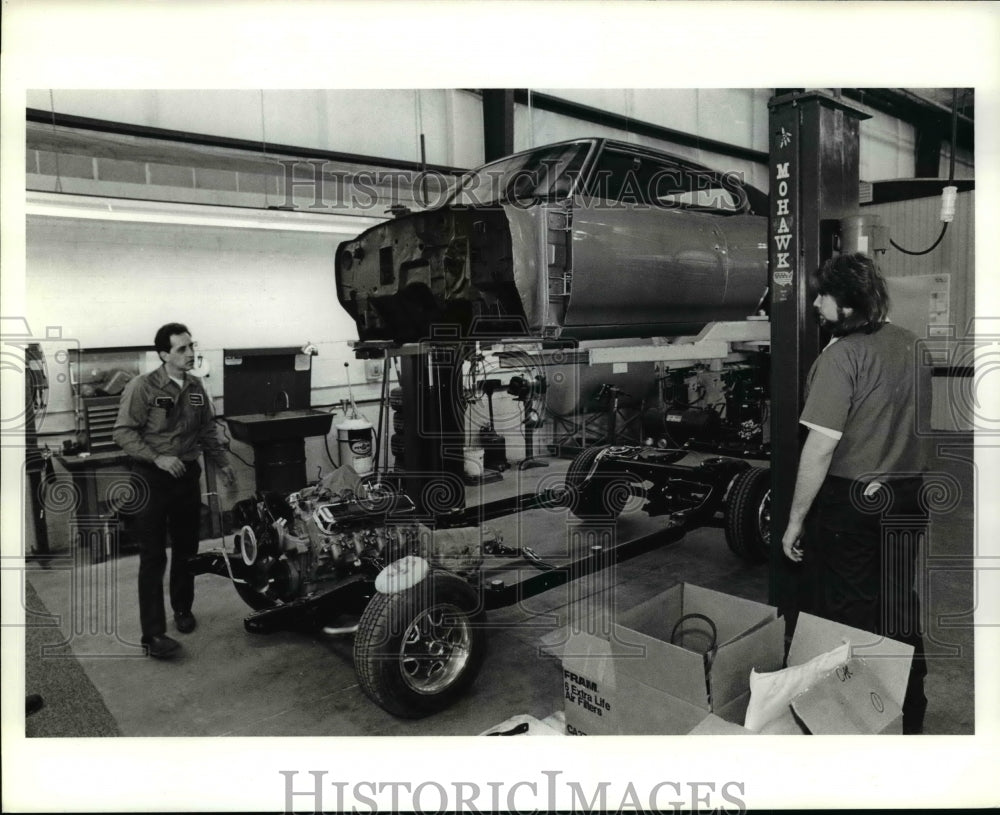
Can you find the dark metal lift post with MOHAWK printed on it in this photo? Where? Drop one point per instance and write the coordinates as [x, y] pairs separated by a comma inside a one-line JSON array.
[[814, 180]]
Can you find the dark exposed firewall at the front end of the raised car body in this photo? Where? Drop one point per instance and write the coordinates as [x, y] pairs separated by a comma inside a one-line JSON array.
[[450, 268]]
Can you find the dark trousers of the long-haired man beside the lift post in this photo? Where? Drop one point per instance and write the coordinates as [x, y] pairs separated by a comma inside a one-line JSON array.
[[861, 555]]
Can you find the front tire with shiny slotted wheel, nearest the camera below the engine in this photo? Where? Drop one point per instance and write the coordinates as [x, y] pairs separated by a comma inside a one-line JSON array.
[[416, 652]]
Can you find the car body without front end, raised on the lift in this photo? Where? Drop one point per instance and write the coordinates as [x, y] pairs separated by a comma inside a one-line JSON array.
[[584, 239]]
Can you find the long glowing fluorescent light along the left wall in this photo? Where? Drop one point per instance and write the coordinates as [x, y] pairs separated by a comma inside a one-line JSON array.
[[55, 205]]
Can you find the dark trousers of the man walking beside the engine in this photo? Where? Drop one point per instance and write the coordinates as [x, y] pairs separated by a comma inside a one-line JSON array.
[[172, 505]]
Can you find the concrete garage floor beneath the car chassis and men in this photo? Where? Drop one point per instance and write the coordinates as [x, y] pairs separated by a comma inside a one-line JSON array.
[[83, 657]]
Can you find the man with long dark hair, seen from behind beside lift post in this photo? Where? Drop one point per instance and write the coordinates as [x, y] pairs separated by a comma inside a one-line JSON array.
[[860, 473]]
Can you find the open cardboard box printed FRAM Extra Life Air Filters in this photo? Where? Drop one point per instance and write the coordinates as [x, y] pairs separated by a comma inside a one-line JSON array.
[[635, 682]]
